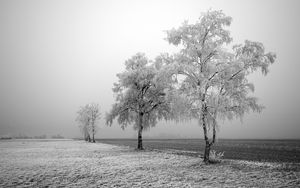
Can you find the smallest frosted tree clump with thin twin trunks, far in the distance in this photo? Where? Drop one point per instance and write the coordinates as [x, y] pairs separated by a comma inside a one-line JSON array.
[[87, 116]]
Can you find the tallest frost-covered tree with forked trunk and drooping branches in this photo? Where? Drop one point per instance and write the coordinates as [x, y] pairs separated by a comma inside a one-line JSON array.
[[214, 82]]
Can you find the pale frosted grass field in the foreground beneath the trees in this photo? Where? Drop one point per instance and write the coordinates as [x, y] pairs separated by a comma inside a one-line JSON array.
[[70, 163]]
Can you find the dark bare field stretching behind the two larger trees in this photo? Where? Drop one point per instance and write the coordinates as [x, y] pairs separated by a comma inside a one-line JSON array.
[[253, 150]]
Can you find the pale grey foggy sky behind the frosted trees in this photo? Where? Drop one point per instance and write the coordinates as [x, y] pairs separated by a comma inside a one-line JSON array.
[[58, 55]]
